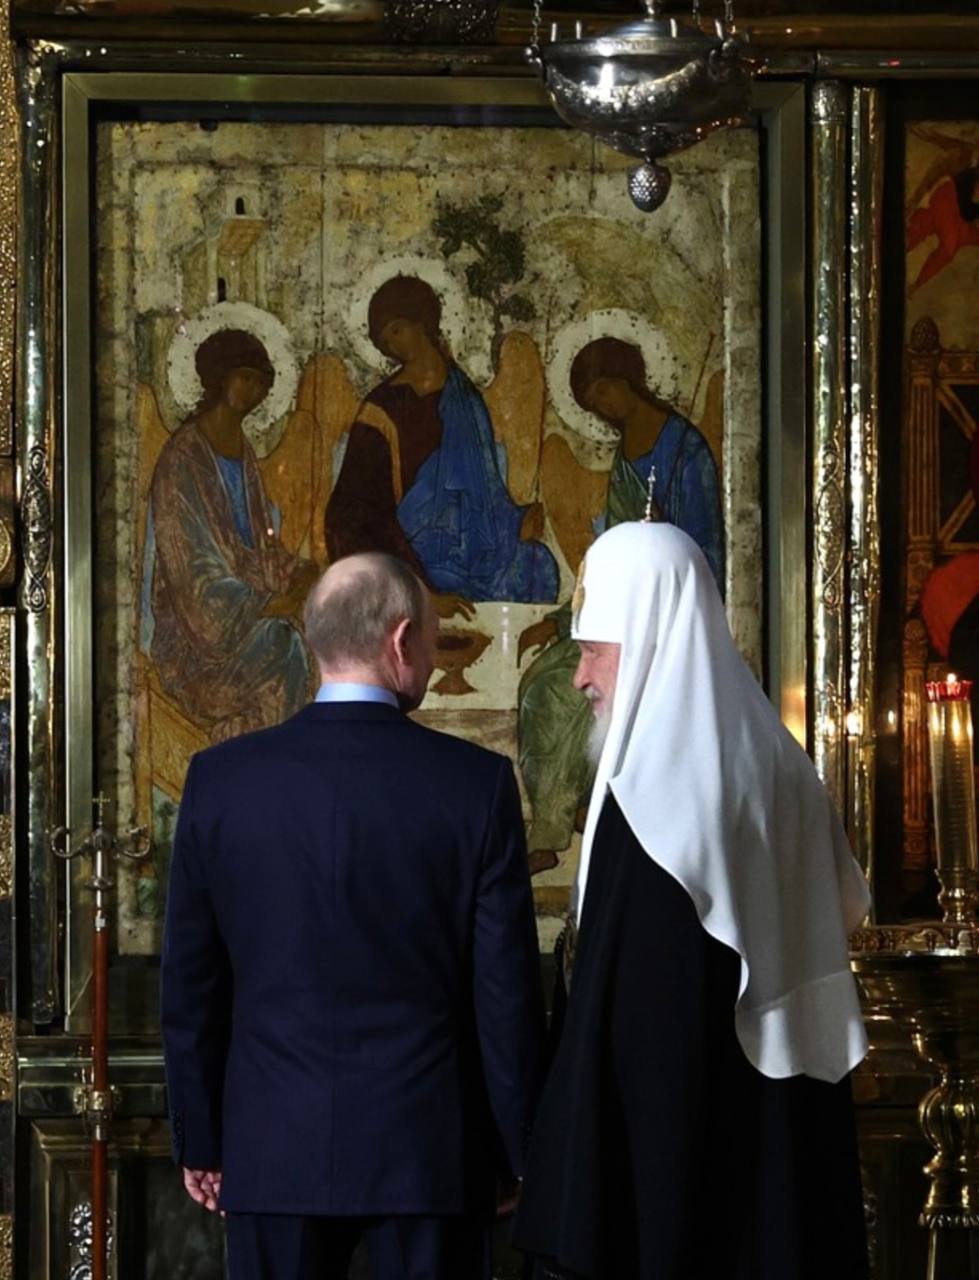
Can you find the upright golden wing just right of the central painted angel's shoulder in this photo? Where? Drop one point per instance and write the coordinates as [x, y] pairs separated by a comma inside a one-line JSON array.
[[516, 404]]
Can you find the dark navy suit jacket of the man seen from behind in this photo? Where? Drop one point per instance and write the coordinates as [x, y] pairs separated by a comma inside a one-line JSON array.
[[351, 995]]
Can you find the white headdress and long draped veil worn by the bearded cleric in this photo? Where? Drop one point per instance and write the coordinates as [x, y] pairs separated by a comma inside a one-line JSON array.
[[721, 796]]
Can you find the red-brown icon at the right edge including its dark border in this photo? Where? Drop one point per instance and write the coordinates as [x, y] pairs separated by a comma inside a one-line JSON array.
[[930, 469]]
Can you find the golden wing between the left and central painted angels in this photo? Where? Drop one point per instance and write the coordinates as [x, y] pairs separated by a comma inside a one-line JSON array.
[[299, 473]]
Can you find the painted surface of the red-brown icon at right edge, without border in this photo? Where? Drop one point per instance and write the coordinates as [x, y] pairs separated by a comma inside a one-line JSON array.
[[941, 442]]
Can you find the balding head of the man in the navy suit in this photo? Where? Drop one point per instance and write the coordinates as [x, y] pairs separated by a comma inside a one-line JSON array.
[[358, 605]]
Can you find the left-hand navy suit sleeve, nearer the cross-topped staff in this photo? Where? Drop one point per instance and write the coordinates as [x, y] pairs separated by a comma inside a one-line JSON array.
[[195, 998]]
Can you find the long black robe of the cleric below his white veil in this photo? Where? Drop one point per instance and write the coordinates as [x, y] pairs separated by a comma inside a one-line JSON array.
[[658, 1151]]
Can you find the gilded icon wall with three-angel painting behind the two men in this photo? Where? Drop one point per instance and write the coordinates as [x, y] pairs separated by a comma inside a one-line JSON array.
[[432, 322]]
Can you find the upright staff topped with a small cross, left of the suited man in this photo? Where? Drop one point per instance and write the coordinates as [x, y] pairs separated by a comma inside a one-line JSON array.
[[97, 1098]]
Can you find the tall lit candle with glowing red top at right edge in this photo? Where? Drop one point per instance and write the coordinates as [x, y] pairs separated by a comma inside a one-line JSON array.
[[950, 740]]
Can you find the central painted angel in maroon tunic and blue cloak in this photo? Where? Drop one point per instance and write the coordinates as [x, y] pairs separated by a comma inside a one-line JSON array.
[[423, 477]]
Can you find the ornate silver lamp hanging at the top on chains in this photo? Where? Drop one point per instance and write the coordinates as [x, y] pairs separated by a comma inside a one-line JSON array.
[[649, 88]]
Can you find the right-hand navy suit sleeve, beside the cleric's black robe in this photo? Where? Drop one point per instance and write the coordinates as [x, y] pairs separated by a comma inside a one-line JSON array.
[[507, 994]]
